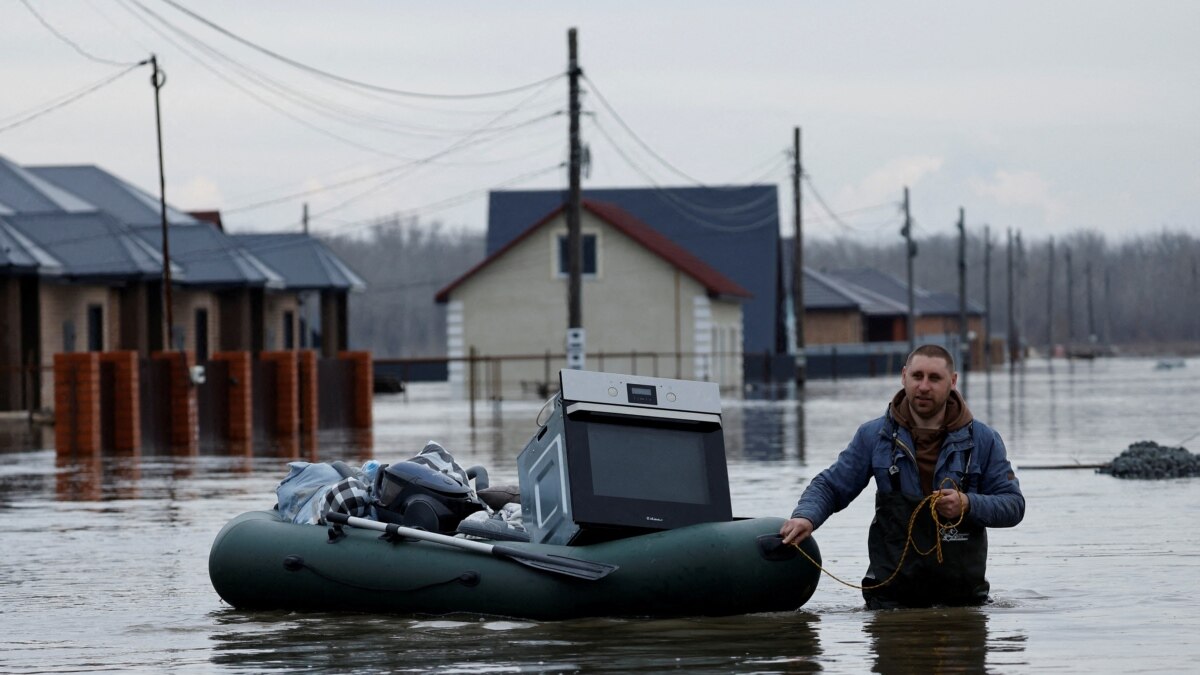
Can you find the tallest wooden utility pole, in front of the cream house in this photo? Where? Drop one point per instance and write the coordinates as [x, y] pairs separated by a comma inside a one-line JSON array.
[[575, 337]]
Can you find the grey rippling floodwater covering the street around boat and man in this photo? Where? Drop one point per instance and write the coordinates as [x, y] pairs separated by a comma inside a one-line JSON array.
[[104, 561]]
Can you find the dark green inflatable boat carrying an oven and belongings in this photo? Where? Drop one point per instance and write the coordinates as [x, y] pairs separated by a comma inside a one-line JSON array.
[[259, 561]]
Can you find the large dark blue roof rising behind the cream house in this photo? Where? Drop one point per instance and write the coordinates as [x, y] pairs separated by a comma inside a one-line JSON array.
[[734, 230]]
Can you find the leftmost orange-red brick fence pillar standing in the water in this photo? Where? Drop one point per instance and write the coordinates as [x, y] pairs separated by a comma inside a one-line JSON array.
[[77, 402]]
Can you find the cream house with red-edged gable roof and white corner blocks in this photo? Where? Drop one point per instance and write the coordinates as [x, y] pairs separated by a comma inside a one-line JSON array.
[[641, 292]]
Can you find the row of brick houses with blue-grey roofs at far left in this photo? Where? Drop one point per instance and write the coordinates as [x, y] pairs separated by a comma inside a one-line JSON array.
[[82, 271]]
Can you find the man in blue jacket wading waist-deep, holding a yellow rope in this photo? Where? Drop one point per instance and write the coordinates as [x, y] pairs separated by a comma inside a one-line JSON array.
[[926, 447]]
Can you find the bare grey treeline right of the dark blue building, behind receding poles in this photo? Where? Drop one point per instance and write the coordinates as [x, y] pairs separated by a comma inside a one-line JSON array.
[[1139, 294]]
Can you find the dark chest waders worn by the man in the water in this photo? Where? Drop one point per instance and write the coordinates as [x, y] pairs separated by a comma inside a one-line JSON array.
[[923, 581]]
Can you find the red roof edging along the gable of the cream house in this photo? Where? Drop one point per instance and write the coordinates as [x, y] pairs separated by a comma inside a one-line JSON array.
[[713, 282]]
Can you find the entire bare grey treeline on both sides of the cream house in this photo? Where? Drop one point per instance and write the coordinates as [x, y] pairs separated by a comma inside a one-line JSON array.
[[1139, 294]]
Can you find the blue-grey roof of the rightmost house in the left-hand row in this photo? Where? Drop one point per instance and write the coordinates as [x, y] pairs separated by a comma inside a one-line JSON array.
[[303, 261]]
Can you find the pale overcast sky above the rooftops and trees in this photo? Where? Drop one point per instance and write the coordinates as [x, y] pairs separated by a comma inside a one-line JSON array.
[[1043, 117]]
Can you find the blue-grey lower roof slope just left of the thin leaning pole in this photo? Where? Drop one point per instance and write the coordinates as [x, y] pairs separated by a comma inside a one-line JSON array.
[[92, 246]]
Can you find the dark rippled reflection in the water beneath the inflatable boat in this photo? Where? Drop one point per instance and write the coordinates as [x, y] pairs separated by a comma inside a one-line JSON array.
[[764, 643]]
